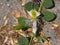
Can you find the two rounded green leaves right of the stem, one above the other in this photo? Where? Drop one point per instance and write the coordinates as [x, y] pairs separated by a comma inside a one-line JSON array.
[[48, 16]]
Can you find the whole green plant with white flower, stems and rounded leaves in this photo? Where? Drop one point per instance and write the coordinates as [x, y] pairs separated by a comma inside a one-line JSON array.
[[35, 9]]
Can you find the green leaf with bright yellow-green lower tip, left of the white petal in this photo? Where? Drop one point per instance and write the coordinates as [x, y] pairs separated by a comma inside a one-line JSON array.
[[22, 23]]
